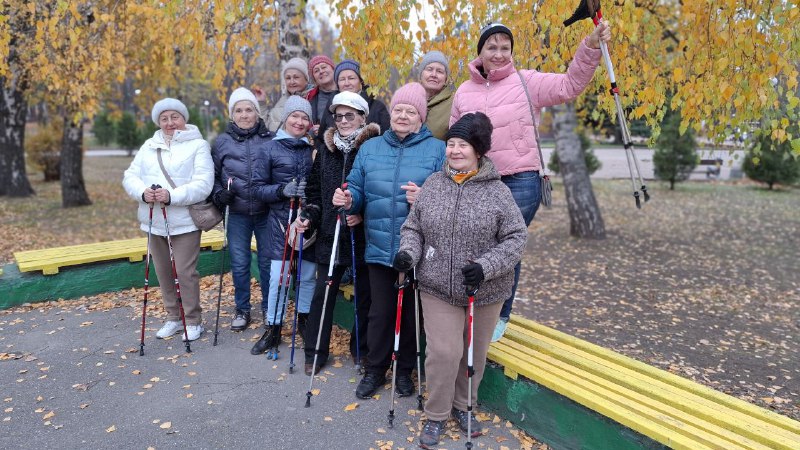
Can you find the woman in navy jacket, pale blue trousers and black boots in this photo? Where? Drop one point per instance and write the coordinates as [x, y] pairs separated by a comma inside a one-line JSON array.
[[280, 176]]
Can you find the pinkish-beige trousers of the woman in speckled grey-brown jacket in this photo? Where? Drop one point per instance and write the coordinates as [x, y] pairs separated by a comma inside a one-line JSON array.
[[446, 353]]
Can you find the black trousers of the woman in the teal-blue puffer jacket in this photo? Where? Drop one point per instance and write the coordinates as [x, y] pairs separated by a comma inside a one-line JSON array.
[[382, 317]]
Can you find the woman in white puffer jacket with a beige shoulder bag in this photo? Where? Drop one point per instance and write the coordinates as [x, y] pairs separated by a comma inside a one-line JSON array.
[[187, 160]]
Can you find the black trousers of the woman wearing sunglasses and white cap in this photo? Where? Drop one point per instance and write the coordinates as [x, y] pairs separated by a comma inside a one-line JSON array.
[[312, 325]]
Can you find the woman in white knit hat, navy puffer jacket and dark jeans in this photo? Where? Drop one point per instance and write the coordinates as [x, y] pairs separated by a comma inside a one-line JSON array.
[[235, 153]]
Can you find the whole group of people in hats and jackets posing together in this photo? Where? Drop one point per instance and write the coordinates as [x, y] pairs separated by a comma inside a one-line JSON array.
[[440, 185]]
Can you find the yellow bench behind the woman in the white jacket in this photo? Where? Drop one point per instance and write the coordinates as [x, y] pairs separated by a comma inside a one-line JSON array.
[[50, 260]]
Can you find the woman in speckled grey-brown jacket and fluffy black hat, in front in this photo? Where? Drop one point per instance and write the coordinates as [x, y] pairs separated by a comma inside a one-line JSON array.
[[464, 229]]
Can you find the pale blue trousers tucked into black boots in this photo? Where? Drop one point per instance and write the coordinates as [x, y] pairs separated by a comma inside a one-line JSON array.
[[308, 279]]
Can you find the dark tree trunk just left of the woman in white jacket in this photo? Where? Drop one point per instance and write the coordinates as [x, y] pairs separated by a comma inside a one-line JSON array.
[[73, 188]]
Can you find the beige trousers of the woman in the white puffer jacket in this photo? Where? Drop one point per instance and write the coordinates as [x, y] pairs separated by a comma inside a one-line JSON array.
[[186, 248]]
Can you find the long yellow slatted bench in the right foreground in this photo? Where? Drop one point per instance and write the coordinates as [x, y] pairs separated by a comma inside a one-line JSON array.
[[671, 410]]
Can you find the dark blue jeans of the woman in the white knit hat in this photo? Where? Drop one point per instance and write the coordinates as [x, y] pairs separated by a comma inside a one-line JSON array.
[[241, 228]]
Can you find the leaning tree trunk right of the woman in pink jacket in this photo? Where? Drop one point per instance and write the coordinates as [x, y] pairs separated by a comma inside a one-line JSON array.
[[584, 214]]
